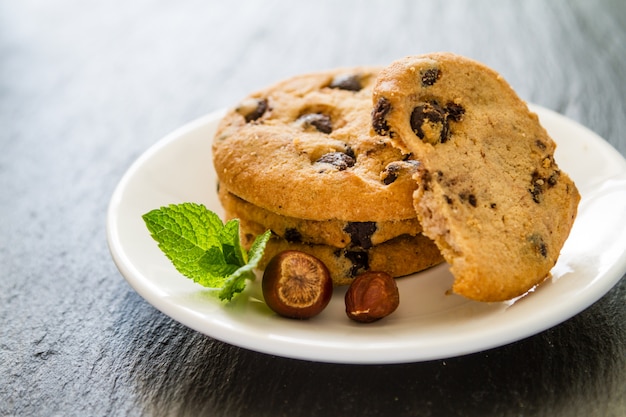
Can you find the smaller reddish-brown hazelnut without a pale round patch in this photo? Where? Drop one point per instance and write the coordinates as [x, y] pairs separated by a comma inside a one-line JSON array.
[[372, 296]]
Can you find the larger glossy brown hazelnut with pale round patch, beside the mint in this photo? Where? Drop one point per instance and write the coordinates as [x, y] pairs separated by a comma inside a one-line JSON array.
[[296, 285]]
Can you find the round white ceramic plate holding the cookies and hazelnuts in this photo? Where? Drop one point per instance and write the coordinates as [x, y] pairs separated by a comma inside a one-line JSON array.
[[429, 324]]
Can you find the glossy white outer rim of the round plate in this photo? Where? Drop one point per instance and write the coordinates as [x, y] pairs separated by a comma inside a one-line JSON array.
[[237, 338]]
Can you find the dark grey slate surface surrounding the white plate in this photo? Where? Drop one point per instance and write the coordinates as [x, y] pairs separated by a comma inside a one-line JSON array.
[[86, 86]]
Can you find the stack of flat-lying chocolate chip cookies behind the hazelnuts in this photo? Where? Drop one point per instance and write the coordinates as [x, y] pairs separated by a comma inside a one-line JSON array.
[[299, 158]]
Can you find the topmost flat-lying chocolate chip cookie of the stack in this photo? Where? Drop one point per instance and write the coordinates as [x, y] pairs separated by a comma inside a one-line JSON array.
[[302, 148]]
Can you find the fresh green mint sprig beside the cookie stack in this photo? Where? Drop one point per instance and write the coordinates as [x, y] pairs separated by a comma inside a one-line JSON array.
[[203, 248]]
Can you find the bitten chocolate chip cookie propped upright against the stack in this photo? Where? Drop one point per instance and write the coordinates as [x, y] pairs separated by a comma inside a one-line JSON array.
[[490, 193]]
